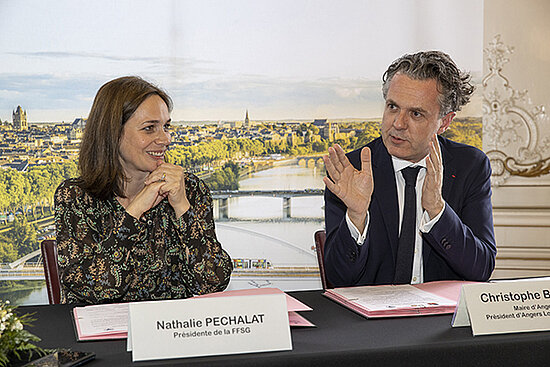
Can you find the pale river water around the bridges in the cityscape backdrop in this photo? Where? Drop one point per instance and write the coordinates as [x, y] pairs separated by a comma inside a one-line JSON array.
[[255, 229]]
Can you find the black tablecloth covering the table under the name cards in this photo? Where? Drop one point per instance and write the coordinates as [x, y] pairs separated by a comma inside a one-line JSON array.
[[341, 338]]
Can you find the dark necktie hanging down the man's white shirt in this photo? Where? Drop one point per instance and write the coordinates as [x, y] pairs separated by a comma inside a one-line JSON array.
[[407, 236]]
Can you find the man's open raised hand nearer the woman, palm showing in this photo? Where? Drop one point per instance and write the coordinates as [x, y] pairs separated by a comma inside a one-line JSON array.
[[353, 187]]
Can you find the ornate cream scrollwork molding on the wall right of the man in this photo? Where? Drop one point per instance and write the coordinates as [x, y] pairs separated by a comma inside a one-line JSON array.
[[511, 123]]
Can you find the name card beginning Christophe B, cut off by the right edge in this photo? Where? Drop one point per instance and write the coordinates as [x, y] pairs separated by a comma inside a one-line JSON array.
[[504, 307]]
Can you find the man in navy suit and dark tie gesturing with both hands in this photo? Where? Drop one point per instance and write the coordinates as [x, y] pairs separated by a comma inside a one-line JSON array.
[[411, 207]]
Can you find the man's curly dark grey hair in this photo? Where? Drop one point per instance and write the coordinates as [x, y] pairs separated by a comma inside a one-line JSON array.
[[454, 86]]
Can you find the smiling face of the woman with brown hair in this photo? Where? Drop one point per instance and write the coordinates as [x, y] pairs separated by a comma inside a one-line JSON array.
[[145, 138]]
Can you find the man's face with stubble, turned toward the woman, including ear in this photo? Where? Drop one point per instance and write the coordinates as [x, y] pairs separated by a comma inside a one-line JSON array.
[[411, 117]]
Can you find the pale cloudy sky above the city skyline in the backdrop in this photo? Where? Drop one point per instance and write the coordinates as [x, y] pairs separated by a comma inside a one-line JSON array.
[[284, 59]]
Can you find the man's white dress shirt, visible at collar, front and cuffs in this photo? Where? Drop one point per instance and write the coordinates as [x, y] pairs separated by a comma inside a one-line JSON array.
[[423, 222]]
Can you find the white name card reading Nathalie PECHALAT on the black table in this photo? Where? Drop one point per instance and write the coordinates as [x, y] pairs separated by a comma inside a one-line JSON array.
[[208, 326]]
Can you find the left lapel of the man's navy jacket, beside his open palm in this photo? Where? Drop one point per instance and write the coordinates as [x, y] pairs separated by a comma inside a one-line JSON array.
[[385, 193]]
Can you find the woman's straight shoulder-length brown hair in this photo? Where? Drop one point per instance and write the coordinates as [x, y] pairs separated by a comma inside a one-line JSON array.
[[101, 172]]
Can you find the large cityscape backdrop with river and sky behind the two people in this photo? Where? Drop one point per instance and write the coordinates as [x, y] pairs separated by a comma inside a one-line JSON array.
[[260, 92]]
